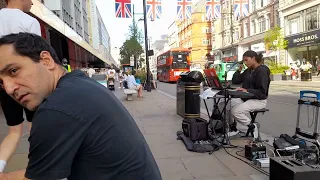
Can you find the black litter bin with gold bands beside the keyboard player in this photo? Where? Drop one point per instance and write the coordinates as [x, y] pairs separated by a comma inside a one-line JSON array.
[[188, 91]]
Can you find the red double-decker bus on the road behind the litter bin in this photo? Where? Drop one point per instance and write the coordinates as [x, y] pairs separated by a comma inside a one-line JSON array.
[[171, 63]]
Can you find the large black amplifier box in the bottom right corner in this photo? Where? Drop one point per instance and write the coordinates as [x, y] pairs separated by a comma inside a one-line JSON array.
[[287, 168]]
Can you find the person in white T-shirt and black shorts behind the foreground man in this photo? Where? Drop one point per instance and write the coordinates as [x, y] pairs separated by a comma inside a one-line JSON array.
[[13, 19]]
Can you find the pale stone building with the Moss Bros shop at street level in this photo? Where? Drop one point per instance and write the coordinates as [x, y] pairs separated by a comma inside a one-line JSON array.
[[300, 20]]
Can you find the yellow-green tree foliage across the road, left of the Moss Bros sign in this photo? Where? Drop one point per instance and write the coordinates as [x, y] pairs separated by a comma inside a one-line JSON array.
[[274, 39]]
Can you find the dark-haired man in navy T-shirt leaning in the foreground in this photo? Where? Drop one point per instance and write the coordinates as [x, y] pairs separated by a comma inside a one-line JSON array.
[[75, 134]]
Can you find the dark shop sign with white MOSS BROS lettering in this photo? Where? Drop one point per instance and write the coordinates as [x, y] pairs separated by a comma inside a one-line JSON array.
[[304, 39]]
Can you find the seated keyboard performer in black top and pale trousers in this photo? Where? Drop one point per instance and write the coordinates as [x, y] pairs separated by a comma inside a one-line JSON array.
[[255, 80]]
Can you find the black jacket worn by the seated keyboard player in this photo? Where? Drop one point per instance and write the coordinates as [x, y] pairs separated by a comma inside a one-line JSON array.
[[255, 81]]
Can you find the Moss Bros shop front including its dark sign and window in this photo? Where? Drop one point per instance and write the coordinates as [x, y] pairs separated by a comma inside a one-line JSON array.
[[304, 47]]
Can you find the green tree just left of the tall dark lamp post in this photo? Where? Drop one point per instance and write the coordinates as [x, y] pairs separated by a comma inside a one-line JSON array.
[[132, 46]]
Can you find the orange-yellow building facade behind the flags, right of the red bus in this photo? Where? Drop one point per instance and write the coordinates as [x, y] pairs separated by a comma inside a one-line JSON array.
[[195, 34]]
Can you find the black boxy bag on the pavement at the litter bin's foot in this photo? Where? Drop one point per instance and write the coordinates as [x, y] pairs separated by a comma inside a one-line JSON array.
[[196, 129]]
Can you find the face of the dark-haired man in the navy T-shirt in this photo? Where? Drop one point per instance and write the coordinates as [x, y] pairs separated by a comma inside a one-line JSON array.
[[28, 82]]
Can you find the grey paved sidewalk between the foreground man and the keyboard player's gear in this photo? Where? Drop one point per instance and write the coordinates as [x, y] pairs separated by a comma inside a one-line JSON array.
[[156, 117]]
